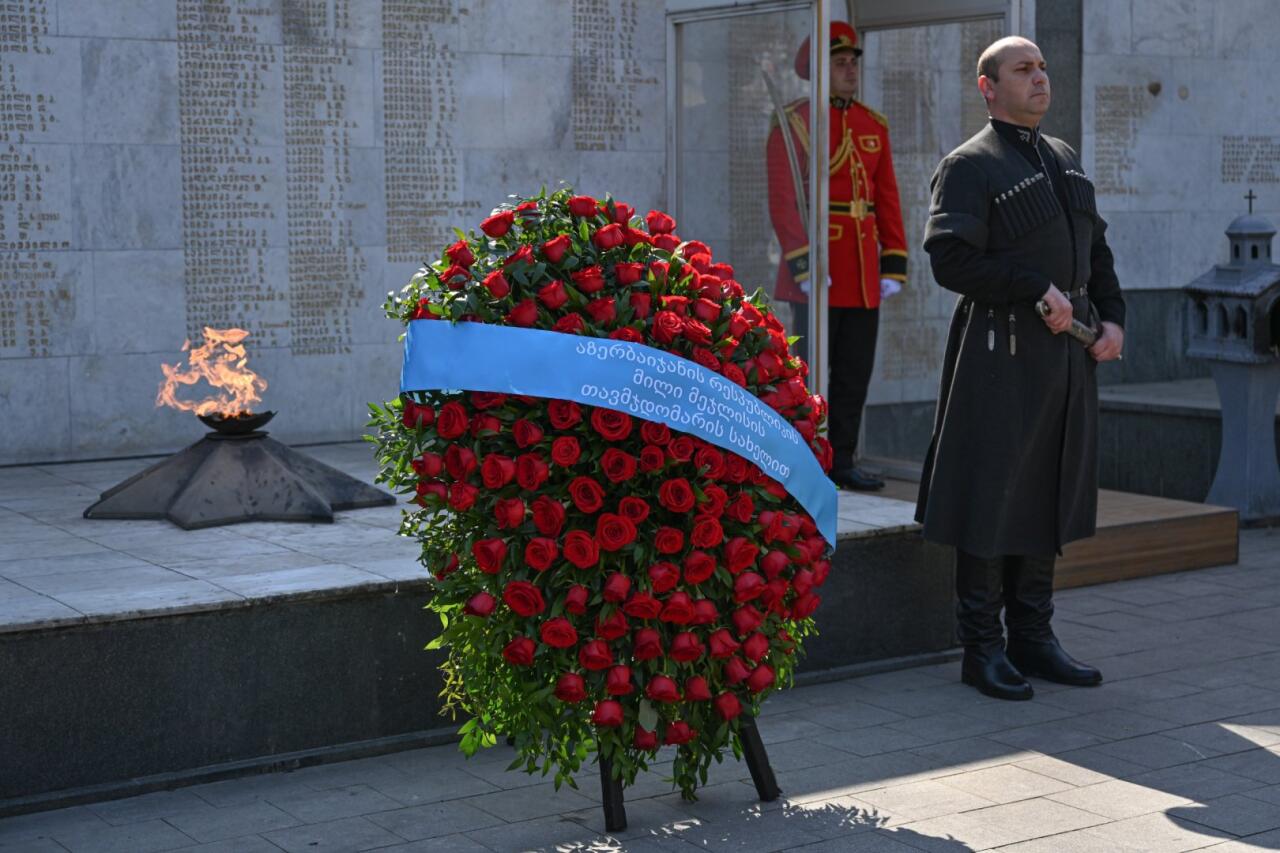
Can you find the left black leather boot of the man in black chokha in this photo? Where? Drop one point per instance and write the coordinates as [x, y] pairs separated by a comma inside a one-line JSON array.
[[979, 603]]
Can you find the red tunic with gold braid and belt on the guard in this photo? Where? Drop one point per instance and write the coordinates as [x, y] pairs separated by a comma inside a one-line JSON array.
[[866, 227]]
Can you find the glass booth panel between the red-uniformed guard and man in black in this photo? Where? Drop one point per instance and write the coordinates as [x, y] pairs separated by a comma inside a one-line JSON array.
[[924, 79]]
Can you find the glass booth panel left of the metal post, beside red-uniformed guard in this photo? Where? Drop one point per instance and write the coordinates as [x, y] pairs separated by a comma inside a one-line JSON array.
[[724, 170]]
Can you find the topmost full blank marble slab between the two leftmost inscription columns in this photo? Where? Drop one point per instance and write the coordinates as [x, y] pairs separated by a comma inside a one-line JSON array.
[[131, 90]]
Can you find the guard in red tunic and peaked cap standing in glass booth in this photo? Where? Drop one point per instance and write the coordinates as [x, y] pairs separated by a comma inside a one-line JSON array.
[[867, 243]]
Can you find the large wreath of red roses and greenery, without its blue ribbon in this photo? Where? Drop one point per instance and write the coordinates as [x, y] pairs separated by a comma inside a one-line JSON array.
[[604, 582]]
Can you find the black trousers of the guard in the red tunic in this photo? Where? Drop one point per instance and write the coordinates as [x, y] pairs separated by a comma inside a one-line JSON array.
[[852, 357]]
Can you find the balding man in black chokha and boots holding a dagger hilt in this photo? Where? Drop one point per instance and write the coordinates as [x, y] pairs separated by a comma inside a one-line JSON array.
[[1012, 473]]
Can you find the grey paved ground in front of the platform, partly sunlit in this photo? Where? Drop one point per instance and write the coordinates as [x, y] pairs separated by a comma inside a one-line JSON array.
[[1178, 750]]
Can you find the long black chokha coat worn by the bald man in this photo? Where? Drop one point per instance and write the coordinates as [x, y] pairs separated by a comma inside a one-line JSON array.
[[1013, 468]]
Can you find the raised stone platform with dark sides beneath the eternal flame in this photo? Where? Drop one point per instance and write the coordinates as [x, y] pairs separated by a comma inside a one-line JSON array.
[[136, 655]]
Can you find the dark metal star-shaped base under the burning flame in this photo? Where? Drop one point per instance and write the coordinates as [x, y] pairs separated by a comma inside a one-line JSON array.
[[226, 478]]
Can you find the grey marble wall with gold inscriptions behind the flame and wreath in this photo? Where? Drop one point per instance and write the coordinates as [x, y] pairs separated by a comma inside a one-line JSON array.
[[168, 166]]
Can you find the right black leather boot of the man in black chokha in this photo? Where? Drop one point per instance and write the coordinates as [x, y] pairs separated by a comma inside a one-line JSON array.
[[1028, 612]]
